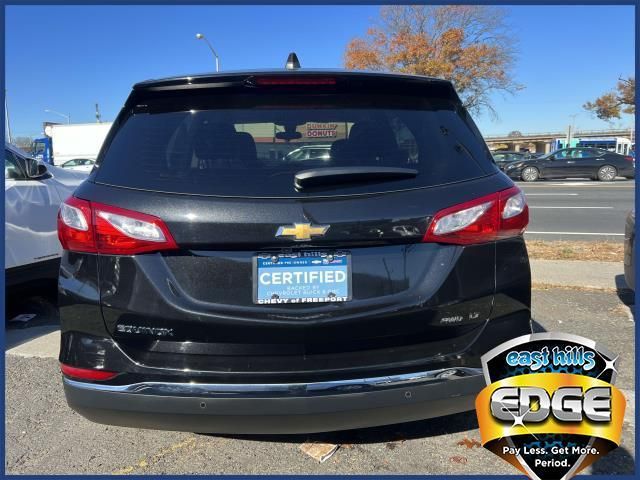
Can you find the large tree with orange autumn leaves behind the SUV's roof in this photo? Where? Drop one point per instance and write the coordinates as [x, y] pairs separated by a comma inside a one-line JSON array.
[[468, 44]]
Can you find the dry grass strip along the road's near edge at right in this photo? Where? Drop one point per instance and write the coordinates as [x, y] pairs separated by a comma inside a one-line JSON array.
[[565, 250]]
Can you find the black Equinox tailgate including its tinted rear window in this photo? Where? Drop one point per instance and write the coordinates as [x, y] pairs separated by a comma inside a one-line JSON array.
[[213, 164]]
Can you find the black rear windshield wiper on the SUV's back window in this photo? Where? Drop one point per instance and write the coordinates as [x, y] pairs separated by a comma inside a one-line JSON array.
[[336, 175]]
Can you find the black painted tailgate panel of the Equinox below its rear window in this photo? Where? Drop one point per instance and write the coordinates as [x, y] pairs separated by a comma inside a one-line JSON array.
[[204, 292]]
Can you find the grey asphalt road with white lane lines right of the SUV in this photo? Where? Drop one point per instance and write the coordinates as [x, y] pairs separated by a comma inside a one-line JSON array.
[[578, 209]]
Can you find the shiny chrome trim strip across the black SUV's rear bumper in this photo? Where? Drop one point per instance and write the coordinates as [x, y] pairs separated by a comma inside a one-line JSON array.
[[360, 385]]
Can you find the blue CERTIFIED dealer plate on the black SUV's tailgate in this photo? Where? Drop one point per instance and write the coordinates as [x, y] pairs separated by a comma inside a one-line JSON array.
[[301, 277]]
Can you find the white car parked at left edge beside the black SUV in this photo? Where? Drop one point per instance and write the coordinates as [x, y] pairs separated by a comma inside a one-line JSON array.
[[33, 192]]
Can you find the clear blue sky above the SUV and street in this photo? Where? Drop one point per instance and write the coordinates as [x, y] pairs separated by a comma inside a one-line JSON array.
[[75, 56]]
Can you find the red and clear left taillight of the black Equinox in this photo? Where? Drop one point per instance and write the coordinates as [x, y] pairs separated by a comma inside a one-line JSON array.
[[96, 228]]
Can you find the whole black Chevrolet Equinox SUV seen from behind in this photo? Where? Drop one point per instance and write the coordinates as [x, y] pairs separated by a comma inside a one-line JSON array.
[[210, 285]]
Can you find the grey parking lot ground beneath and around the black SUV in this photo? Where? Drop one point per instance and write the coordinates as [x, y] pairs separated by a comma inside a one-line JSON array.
[[43, 436]]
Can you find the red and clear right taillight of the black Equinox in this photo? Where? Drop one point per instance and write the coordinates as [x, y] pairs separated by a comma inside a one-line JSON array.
[[499, 215]]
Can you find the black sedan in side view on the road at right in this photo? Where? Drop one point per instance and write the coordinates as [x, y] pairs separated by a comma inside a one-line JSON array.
[[574, 163]]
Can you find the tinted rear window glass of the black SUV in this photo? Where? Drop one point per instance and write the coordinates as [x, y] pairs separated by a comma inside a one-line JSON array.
[[253, 145]]
